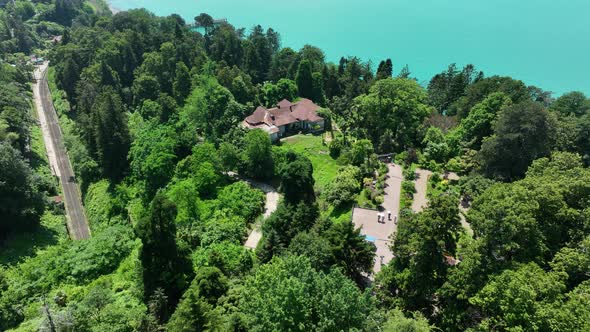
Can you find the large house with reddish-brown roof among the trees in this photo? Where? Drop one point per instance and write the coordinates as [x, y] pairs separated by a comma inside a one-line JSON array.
[[286, 118]]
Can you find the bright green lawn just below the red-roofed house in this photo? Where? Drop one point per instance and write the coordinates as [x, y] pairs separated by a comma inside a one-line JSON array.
[[324, 166]]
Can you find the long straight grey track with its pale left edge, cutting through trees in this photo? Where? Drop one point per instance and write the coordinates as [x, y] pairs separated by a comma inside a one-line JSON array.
[[58, 157]]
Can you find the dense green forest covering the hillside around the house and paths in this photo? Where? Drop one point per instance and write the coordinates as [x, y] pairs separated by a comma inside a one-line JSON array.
[[151, 107]]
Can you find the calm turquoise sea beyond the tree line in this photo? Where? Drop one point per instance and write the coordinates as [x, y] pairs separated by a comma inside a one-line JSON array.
[[542, 42]]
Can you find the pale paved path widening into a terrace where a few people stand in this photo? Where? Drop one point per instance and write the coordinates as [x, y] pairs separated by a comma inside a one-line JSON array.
[[380, 233]]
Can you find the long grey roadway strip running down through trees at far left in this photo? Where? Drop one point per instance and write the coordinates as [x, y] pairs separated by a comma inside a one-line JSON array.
[[76, 219]]
